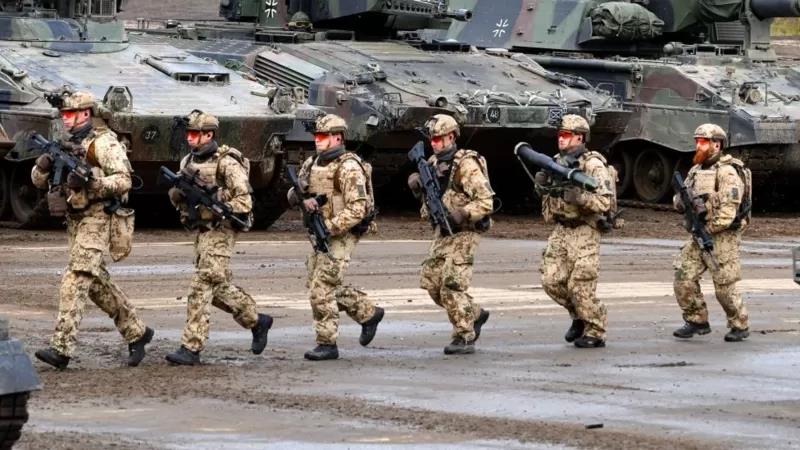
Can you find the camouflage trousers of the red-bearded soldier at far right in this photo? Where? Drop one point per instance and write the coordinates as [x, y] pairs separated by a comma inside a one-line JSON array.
[[690, 265]]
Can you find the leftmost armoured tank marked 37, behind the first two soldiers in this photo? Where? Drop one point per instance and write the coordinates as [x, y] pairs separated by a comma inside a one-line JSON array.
[[144, 91]]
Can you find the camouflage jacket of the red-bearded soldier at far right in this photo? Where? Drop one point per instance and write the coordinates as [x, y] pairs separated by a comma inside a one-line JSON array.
[[722, 188]]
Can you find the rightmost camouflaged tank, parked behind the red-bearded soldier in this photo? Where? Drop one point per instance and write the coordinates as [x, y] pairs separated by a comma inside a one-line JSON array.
[[674, 64]]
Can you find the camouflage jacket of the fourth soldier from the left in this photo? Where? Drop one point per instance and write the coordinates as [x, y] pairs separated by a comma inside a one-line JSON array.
[[468, 185]]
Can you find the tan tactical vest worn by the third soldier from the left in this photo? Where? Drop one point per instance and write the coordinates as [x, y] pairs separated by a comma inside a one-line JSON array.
[[325, 180]]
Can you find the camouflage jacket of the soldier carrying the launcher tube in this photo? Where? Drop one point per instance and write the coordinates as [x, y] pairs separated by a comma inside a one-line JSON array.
[[555, 209]]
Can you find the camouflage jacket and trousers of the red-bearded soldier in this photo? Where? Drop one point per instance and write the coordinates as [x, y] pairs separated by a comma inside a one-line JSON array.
[[725, 188]]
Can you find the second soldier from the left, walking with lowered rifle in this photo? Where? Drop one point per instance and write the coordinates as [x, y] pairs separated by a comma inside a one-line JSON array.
[[227, 169]]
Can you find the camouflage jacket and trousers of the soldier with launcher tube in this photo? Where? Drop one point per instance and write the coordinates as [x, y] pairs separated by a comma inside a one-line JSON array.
[[571, 259]]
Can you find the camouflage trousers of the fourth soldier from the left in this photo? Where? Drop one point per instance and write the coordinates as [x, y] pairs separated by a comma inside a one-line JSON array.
[[447, 275]]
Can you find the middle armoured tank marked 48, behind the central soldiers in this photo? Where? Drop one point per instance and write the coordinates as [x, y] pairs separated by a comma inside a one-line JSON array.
[[362, 61]]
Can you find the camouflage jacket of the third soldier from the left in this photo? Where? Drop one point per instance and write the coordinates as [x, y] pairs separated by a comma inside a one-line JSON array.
[[344, 182]]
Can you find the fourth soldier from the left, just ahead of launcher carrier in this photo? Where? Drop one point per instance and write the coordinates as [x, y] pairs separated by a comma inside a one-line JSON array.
[[468, 197]]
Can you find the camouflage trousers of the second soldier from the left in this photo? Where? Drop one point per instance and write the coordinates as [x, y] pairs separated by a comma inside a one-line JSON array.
[[211, 285]]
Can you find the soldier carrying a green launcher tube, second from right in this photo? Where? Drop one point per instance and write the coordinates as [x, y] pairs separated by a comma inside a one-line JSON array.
[[571, 259]]
